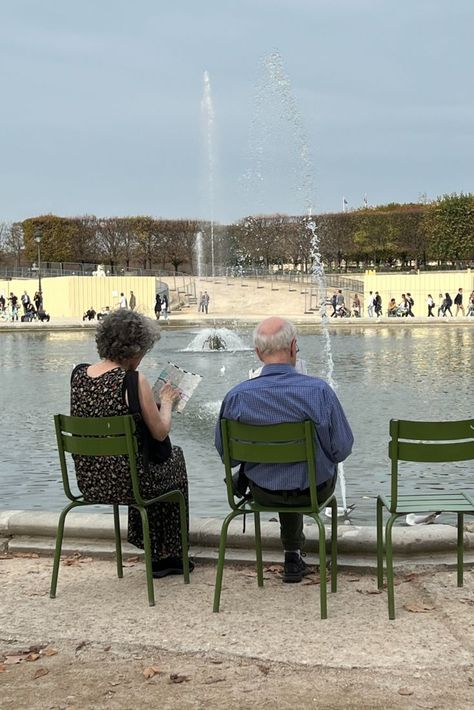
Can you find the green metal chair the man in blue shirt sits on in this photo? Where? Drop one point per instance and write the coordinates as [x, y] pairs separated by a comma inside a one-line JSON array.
[[278, 443]]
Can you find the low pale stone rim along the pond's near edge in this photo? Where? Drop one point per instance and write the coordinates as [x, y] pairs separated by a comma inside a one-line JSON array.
[[205, 533]]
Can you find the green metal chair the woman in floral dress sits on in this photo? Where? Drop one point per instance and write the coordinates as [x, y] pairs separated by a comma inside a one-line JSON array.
[[110, 436]]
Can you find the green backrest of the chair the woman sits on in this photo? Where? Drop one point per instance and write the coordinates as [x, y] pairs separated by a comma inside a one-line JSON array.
[[97, 436]]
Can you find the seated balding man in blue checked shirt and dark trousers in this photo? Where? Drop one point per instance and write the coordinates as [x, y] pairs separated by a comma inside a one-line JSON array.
[[281, 394]]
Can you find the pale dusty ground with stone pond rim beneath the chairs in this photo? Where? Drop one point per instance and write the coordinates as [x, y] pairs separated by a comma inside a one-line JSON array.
[[266, 647]]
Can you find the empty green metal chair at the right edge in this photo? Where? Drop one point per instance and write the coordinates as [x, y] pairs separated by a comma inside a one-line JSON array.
[[423, 442]]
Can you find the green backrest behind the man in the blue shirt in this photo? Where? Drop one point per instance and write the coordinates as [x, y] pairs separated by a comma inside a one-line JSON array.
[[276, 443]]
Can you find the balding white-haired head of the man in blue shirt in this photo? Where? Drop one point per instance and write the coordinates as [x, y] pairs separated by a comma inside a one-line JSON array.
[[275, 341]]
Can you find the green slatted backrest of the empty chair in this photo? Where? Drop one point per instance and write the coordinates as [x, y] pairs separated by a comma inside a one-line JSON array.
[[428, 442]]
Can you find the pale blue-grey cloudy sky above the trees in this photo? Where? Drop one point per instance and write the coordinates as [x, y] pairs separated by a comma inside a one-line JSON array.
[[313, 101]]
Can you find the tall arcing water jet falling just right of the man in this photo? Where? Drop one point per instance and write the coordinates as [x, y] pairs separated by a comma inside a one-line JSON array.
[[276, 83]]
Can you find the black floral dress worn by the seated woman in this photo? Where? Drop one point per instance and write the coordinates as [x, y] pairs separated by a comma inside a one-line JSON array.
[[107, 479]]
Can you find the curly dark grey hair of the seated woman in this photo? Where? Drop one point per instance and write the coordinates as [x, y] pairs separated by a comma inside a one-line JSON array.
[[124, 334]]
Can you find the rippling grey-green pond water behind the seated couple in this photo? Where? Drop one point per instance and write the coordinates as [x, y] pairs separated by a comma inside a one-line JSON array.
[[404, 372]]
